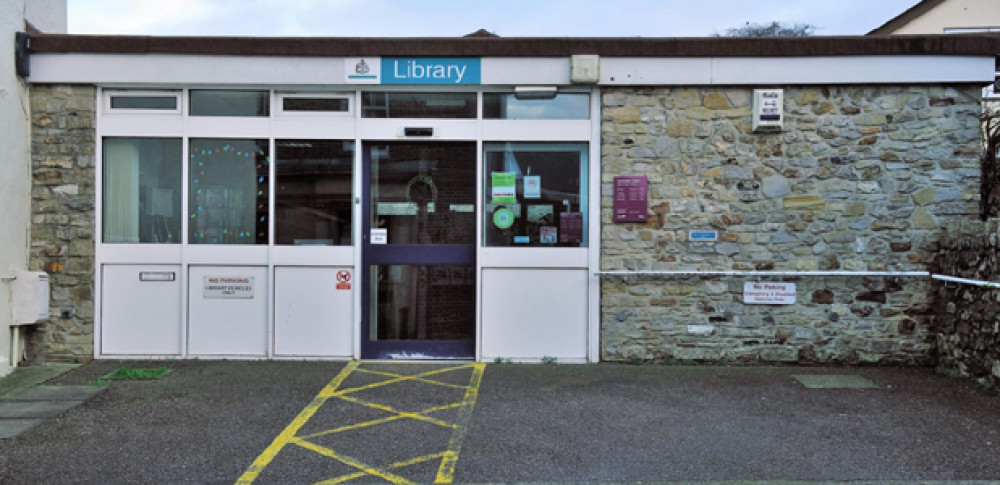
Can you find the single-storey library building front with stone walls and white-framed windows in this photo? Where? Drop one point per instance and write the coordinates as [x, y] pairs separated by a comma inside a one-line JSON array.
[[574, 200]]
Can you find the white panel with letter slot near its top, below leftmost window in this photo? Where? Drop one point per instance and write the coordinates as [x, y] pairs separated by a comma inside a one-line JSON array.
[[141, 310]]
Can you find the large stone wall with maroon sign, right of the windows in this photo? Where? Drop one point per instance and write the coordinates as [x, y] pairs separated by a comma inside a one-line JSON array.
[[861, 179]]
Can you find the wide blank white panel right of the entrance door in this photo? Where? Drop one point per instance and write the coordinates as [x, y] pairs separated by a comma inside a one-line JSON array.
[[530, 314]]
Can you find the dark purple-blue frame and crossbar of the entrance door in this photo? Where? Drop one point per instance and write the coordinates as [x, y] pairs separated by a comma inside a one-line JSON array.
[[403, 254]]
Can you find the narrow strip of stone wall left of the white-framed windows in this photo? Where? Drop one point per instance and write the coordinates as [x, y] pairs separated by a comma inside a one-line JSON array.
[[62, 206]]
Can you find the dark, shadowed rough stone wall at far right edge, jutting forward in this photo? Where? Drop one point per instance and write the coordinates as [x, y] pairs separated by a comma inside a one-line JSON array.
[[966, 317]]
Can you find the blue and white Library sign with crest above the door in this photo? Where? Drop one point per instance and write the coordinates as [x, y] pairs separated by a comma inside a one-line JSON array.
[[413, 70]]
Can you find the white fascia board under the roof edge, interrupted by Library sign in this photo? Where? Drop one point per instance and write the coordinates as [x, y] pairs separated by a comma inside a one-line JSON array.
[[161, 70]]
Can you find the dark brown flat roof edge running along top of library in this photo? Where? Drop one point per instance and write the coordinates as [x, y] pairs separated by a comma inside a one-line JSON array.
[[955, 44]]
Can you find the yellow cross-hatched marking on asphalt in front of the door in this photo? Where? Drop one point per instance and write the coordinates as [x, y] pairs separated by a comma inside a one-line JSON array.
[[339, 396]]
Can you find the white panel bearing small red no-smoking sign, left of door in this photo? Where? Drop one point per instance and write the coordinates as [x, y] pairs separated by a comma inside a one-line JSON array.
[[312, 311]]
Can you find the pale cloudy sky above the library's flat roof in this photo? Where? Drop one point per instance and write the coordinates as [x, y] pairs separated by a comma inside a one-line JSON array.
[[454, 18]]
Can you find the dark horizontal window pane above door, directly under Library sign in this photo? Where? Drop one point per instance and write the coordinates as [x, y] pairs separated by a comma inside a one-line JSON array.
[[418, 105]]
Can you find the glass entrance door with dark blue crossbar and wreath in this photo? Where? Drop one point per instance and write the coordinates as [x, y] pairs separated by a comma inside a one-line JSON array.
[[418, 250]]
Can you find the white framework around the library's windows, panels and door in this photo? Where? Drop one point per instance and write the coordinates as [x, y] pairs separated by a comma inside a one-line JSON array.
[[340, 126]]
